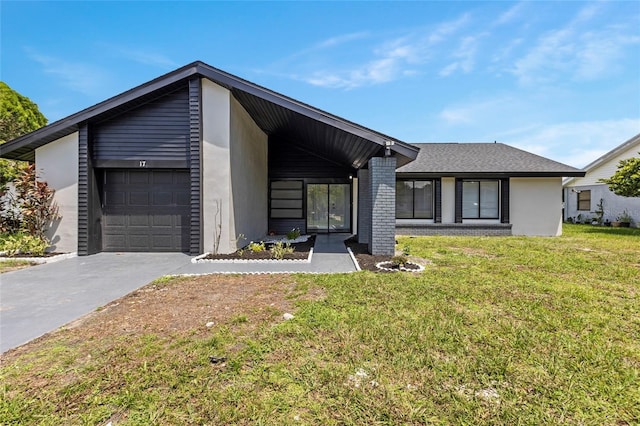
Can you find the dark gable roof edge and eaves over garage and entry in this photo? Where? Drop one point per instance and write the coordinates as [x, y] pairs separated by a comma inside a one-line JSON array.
[[273, 112]]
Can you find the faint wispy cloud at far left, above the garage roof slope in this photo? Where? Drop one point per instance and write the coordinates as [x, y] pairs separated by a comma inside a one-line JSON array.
[[81, 77]]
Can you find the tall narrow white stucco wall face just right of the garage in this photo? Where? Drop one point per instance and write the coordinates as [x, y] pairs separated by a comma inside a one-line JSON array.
[[216, 167]]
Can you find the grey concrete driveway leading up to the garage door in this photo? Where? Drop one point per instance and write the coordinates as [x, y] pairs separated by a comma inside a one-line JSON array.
[[39, 299]]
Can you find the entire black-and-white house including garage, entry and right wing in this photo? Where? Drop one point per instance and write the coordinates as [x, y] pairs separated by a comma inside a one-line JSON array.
[[198, 159]]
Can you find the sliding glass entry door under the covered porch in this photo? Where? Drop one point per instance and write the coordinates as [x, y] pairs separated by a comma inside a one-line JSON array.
[[328, 207]]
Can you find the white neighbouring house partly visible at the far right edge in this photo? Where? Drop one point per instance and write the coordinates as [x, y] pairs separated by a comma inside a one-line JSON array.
[[583, 194]]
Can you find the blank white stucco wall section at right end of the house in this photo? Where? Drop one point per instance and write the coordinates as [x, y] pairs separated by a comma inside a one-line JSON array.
[[536, 206]]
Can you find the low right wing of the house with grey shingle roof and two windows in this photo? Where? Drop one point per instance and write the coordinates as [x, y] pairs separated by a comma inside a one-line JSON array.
[[479, 189]]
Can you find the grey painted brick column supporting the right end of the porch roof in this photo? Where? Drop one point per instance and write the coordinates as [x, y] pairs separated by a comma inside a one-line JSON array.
[[382, 175]]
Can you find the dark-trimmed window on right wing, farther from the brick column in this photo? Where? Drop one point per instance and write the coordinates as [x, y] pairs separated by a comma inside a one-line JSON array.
[[480, 199]]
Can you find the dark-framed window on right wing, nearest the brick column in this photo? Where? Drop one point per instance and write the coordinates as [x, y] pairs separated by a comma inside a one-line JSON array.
[[414, 199]]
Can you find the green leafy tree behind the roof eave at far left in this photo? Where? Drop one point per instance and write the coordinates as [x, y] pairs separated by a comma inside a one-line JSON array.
[[18, 116]]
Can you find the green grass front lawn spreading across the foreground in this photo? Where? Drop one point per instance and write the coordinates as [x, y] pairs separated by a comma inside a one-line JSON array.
[[495, 331]]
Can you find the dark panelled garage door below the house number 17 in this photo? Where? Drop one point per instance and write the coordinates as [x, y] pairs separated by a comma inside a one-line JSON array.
[[146, 210]]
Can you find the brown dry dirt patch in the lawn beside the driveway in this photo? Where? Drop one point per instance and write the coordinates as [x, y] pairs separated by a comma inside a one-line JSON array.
[[181, 306]]
